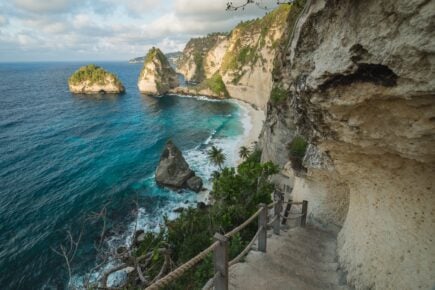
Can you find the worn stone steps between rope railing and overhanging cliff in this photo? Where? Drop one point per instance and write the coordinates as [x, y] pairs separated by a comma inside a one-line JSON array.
[[299, 258]]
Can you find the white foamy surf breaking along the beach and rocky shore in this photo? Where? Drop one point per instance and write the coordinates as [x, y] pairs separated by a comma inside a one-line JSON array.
[[197, 158]]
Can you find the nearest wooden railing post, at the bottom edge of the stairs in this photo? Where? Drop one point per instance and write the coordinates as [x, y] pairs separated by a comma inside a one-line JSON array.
[[220, 259]]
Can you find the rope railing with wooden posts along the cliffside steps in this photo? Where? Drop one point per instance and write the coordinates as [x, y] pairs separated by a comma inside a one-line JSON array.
[[220, 247]]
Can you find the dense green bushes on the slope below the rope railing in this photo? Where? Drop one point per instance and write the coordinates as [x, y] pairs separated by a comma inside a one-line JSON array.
[[237, 194]]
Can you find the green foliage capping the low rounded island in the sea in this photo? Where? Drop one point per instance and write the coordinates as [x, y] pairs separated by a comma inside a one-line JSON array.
[[94, 75]]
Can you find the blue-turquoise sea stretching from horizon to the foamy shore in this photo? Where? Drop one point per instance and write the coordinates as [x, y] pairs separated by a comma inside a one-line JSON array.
[[64, 157]]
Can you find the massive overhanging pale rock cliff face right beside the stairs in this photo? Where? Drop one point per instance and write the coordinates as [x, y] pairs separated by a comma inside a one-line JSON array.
[[358, 81]]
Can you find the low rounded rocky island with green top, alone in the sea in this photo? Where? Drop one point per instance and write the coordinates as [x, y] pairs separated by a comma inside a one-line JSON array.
[[92, 79]]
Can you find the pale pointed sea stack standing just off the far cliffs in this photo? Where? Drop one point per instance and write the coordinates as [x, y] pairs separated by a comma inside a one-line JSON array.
[[157, 75]]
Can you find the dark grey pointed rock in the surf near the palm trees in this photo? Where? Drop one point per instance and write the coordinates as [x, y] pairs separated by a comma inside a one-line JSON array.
[[174, 172]]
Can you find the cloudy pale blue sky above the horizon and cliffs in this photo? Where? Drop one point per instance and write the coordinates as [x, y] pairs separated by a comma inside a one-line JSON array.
[[73, 30]]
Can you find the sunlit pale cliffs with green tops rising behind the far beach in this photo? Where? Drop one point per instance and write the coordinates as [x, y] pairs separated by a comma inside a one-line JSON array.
[[243, 59]]
